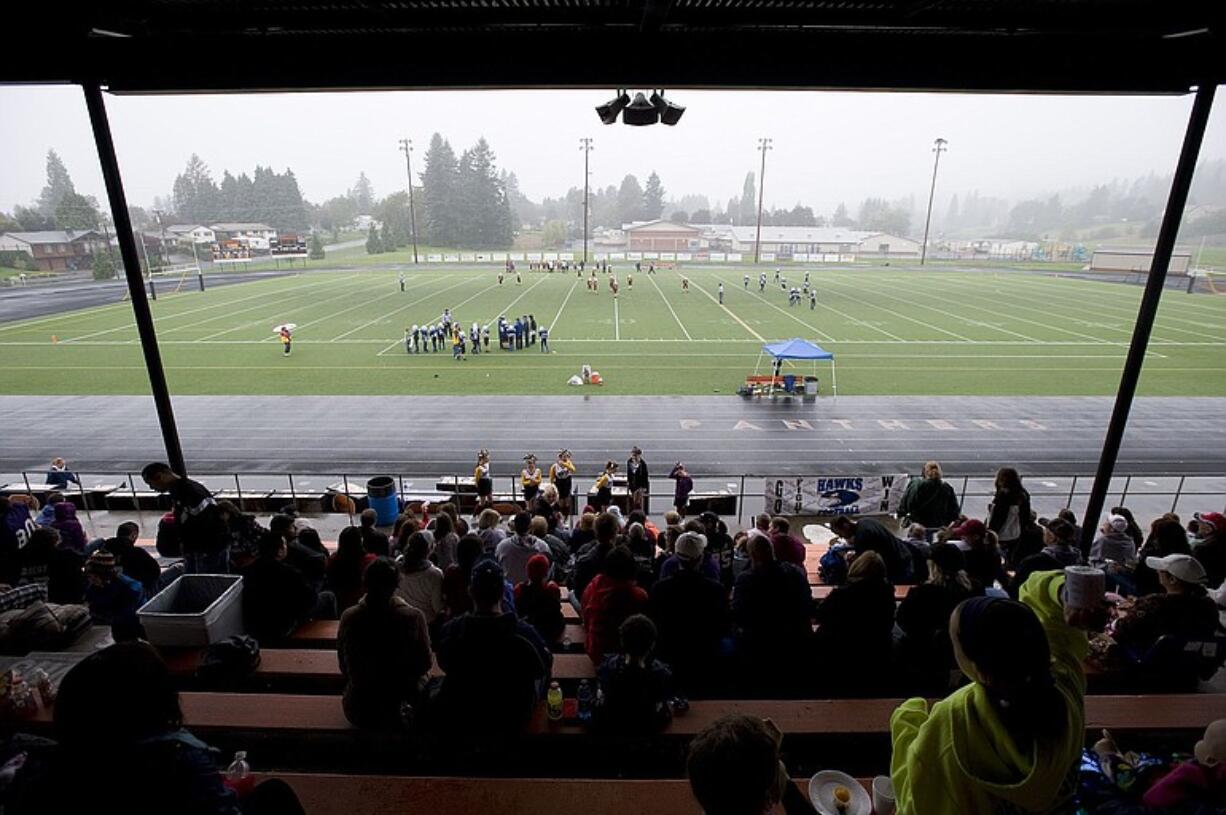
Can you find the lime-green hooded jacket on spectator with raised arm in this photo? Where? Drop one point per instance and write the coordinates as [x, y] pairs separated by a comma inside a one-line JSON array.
[[957, 759]]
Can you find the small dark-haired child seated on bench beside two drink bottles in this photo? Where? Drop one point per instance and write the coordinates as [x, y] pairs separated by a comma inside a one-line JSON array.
[[636, 687]]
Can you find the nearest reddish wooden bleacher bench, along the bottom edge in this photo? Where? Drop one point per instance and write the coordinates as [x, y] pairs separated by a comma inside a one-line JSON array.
[[337, 795]]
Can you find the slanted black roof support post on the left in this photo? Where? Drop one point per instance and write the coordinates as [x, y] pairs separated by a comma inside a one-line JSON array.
[[133, 274]]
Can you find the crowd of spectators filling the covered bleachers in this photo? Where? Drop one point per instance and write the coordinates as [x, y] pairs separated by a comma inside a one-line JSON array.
[[691, 610]]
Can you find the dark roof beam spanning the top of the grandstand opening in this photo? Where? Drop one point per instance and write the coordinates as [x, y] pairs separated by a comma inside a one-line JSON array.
[[713, 59]]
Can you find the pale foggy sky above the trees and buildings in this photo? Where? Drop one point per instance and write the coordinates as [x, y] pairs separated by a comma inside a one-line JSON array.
[[828, 148]]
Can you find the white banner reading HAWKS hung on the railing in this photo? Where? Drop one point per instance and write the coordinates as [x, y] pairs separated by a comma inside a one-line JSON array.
[[831, 496]]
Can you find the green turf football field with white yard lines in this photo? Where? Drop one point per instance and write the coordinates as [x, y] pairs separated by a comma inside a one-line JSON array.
[[893, 332]]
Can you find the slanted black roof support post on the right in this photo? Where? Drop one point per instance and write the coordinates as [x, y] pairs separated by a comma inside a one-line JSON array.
[[1146, 314]]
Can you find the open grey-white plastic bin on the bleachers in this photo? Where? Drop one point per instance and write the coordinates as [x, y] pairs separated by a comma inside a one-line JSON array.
[[196, 611]]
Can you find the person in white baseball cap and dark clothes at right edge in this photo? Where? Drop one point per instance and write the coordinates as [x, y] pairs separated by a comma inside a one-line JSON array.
[[1184, 610]]
